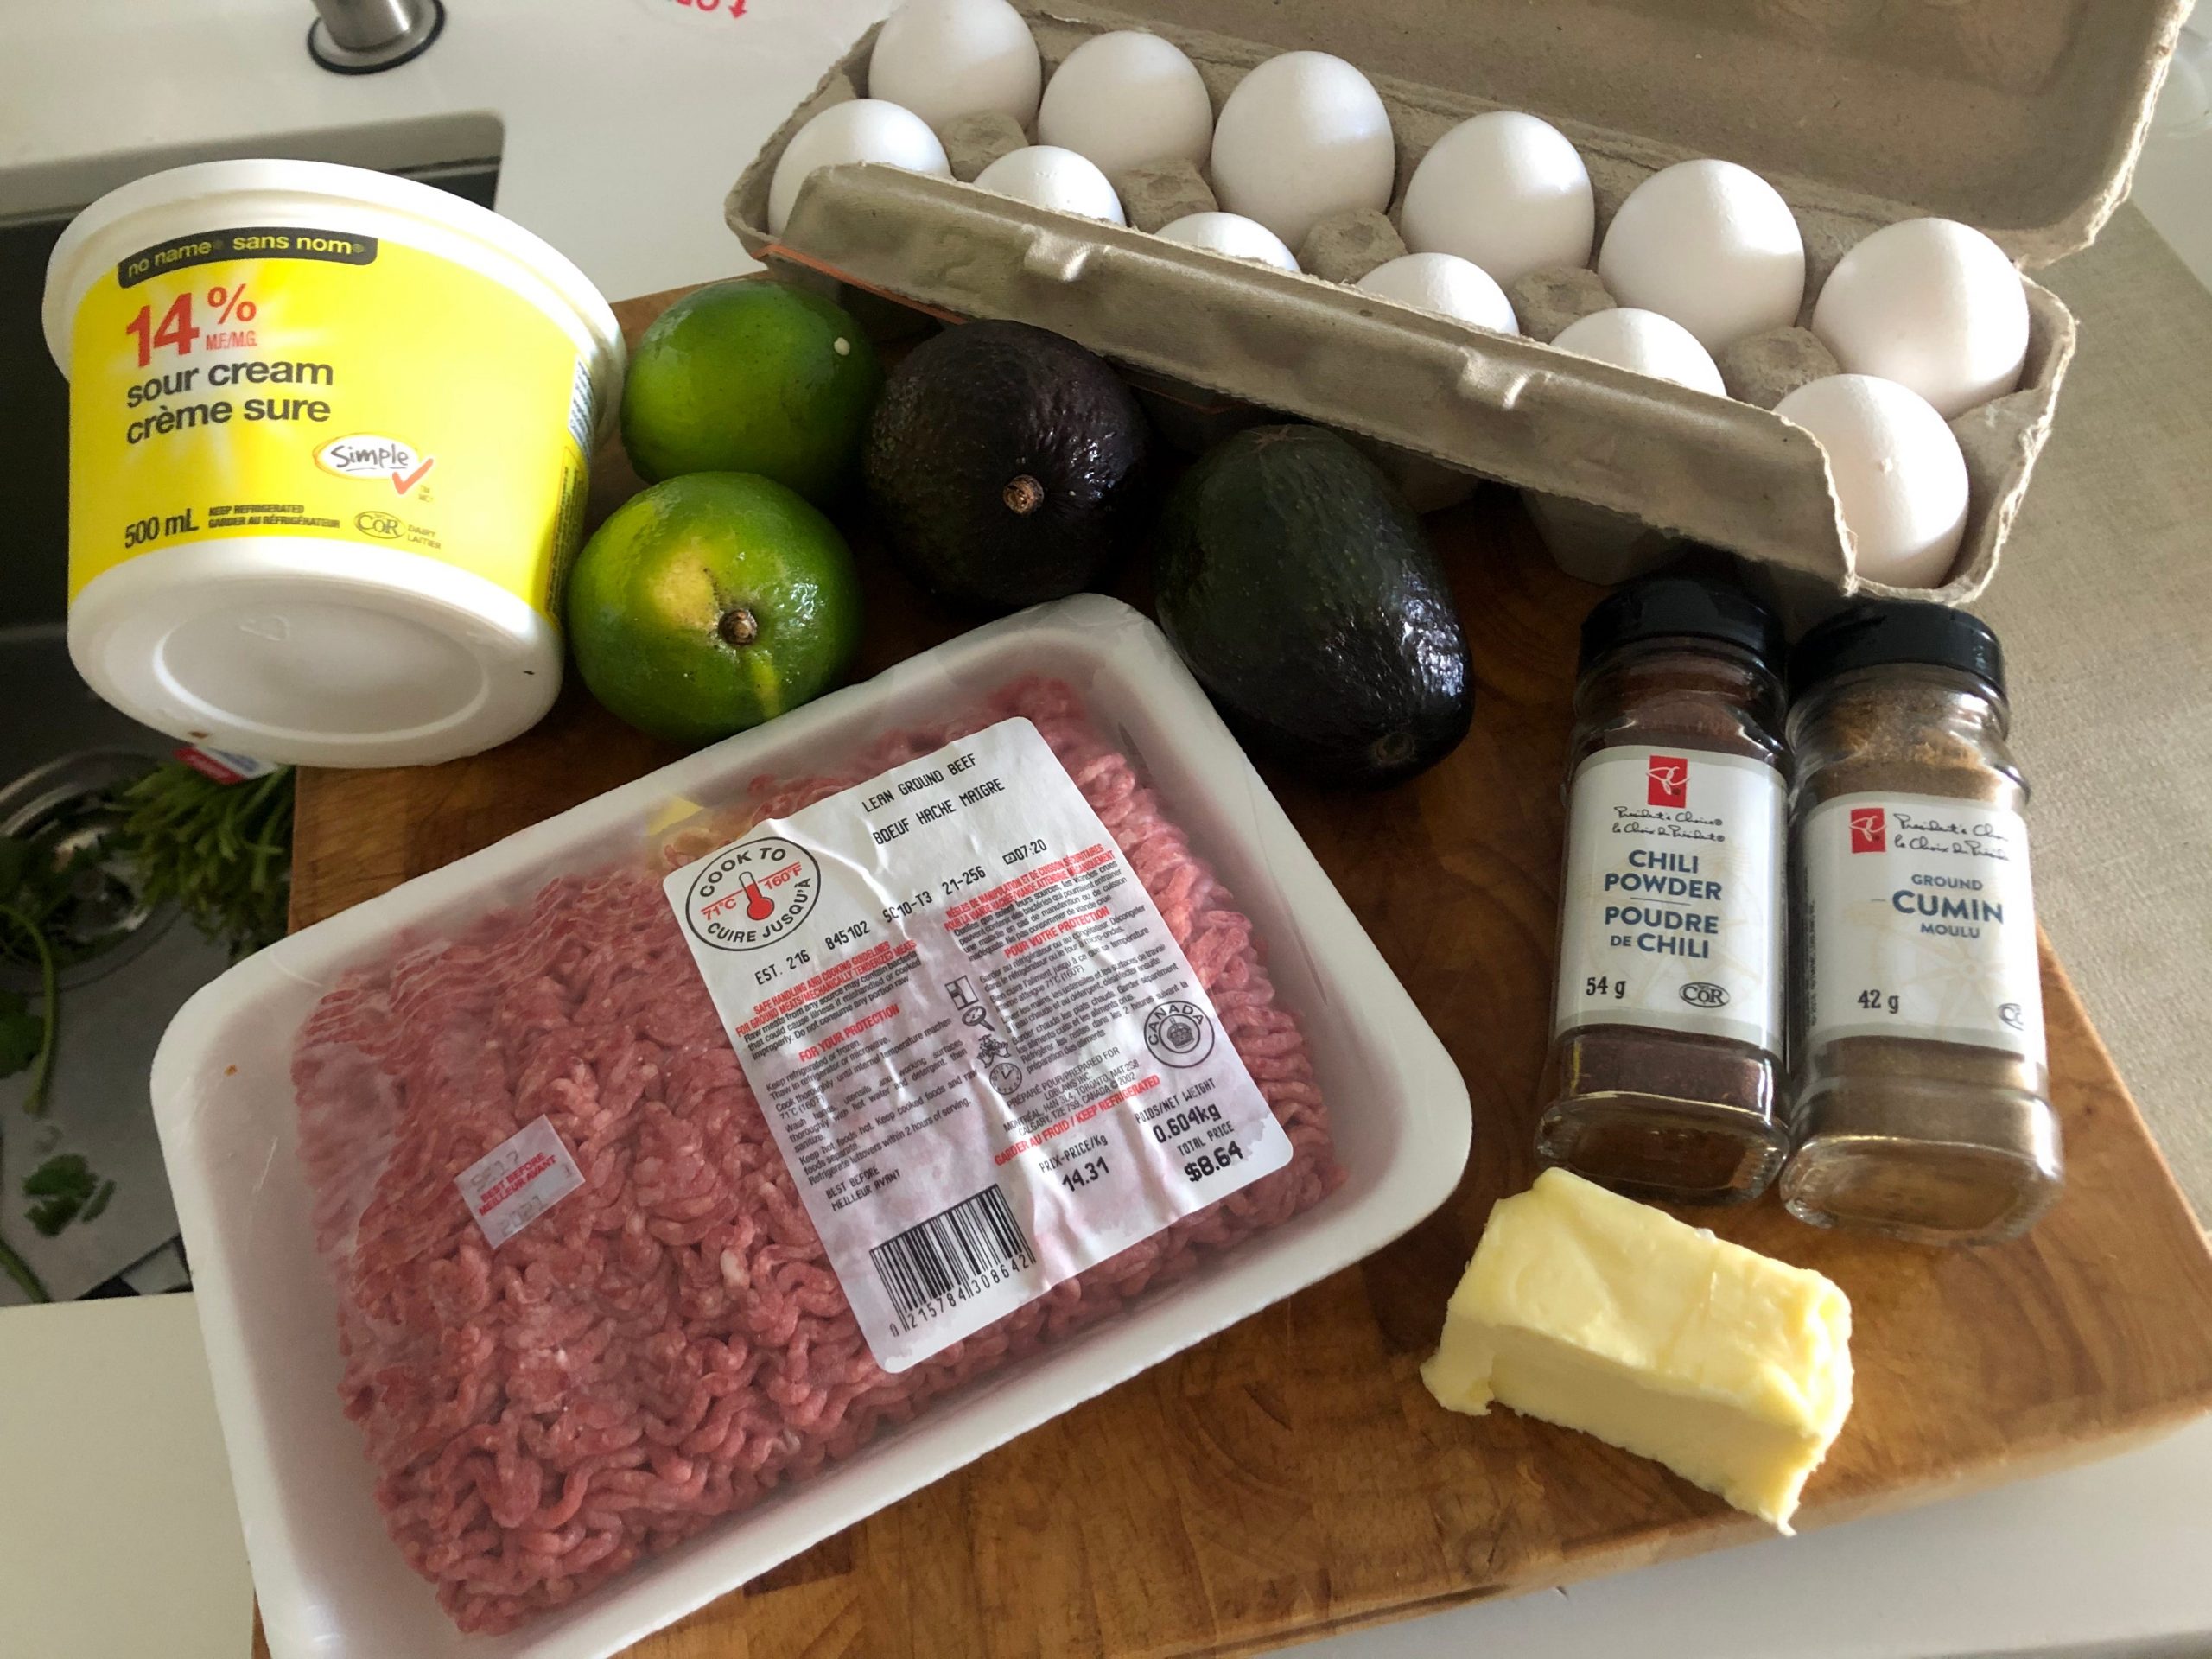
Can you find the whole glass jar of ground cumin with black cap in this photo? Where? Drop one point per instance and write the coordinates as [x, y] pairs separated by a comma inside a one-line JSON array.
[[1921, 1096]]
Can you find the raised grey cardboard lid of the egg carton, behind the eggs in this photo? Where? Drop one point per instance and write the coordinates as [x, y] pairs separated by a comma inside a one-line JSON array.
[[2016, 116]]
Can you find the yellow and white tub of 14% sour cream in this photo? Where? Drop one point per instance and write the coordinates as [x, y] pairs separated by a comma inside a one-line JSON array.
[[328, 450]]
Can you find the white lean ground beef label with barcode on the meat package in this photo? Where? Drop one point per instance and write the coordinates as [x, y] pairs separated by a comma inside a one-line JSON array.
[[974, 1036]]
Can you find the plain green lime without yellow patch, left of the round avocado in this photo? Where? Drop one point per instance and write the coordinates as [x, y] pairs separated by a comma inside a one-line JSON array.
[[751, 377]]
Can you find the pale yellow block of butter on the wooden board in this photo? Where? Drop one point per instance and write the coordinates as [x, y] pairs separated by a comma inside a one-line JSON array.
[[1605, 1315]]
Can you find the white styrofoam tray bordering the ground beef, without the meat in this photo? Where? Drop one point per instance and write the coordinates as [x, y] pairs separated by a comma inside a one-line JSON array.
[[328, 1578]]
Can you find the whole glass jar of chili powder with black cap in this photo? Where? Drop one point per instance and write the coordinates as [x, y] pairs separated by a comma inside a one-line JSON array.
[[1667, 1021]]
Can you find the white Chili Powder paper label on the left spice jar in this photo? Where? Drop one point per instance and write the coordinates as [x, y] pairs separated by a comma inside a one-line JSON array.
[[1671, 910]]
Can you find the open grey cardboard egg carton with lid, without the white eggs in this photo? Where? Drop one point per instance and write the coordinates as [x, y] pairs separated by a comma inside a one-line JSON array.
[[2016, 116]]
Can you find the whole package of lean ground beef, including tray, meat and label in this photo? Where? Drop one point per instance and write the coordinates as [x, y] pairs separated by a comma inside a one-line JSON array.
[[660, 1162]]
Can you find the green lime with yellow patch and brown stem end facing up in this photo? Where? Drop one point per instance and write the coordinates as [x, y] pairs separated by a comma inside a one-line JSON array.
[[713, 603]]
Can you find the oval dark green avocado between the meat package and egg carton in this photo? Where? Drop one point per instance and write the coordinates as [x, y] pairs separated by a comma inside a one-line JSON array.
[[1302, 592]]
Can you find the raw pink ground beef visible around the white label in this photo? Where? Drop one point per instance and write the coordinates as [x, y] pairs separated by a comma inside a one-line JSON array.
[[669, 1344]]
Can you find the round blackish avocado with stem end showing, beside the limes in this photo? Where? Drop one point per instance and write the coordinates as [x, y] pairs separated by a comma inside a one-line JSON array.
[[1008, 466]]
